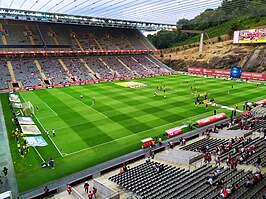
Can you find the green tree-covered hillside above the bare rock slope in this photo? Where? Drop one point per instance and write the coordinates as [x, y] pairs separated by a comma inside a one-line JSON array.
[[230, 16]]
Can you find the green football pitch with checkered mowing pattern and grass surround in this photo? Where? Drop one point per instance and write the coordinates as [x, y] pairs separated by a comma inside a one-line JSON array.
[[110, 120]]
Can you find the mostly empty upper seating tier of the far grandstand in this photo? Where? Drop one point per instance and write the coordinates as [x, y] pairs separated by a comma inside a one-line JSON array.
[[90, 38]]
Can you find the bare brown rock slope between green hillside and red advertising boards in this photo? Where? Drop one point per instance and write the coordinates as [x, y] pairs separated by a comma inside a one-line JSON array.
[[222, 55]]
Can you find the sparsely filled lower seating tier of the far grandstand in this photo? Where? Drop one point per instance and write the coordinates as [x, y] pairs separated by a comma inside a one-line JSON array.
[[103, 67]]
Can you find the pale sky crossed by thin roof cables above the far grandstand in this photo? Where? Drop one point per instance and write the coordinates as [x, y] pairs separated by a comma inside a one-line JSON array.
[[155, 11]]
